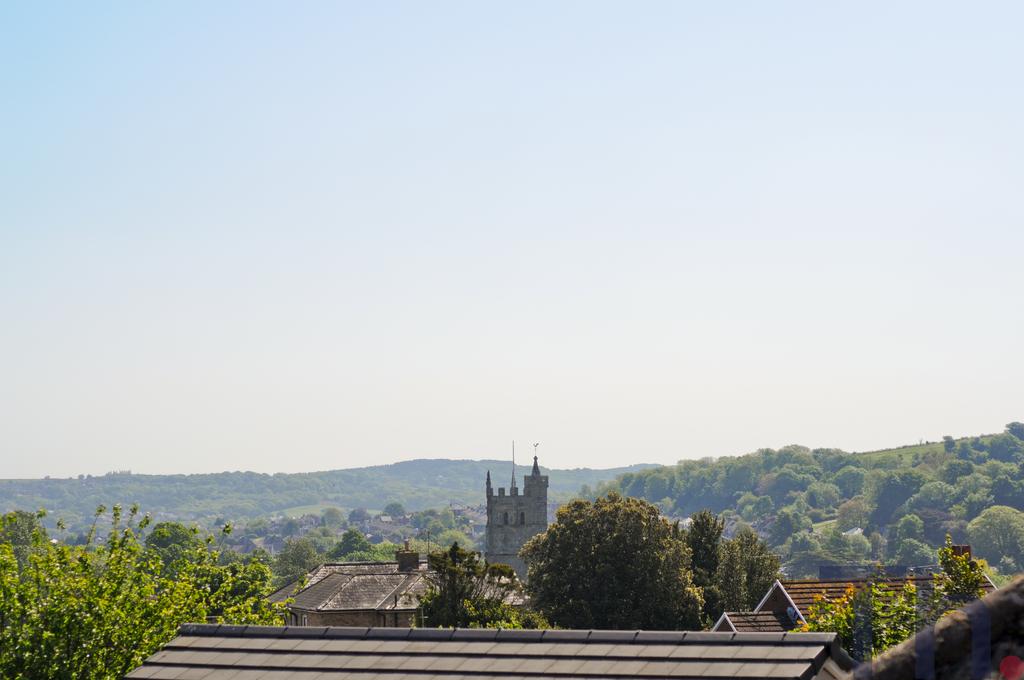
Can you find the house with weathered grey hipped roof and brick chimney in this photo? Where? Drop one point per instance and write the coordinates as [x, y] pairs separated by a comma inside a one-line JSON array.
[[379, 594]]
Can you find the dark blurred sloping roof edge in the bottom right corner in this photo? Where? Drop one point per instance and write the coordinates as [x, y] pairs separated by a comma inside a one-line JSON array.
[[986, 640]]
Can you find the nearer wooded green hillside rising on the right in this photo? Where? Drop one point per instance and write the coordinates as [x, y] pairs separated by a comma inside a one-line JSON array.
[[826, 506]]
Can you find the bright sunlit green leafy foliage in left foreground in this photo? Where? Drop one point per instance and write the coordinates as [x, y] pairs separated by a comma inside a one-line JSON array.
[[96, 612]]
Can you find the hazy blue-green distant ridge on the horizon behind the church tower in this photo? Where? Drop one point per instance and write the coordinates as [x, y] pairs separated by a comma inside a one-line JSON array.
[[238, 496]]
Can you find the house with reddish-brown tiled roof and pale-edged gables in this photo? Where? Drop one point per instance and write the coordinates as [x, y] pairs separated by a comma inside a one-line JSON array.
[[786, 605]]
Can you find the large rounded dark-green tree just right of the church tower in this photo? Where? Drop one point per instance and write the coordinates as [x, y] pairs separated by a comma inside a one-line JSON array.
[[613, 564]]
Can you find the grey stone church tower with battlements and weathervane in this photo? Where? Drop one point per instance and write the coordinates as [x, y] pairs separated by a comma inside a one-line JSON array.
[[514, 519]]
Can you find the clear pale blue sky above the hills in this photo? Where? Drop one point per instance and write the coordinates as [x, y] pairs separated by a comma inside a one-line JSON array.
[[270, 237]]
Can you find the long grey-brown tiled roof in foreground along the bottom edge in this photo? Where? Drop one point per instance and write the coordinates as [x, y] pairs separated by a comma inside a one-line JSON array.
[[240, 653]]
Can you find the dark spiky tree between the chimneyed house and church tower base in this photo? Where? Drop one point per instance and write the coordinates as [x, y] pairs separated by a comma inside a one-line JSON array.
[[466, 592]]
